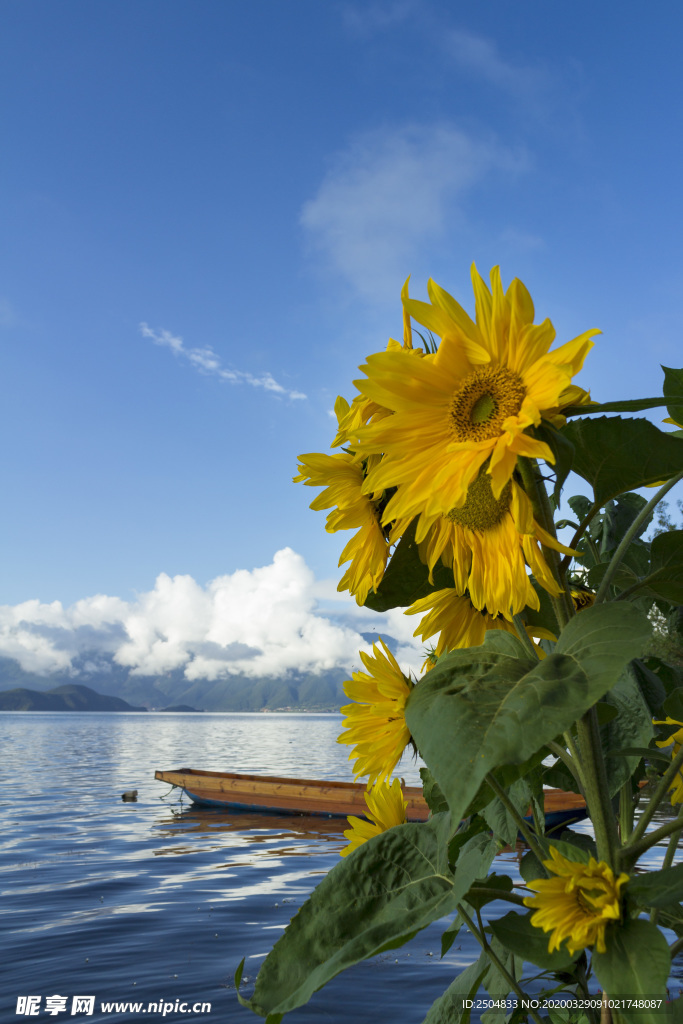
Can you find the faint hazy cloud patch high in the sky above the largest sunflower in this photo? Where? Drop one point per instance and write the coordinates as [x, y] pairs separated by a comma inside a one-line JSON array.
[[392, 192]]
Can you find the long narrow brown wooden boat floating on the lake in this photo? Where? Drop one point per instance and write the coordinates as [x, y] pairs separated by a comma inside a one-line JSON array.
[[306, 796]]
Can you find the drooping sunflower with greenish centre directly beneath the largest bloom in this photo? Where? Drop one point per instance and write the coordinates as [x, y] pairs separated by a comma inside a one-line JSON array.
[[489, 542]]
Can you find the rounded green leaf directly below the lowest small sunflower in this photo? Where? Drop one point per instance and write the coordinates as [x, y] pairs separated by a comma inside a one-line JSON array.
[[635, 965]]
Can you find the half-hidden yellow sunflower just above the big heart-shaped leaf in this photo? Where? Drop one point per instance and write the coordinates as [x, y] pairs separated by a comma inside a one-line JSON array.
[[455, 618]]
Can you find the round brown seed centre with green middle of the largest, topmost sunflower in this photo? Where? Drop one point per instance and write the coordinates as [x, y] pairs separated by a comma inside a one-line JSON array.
[[484, 402]]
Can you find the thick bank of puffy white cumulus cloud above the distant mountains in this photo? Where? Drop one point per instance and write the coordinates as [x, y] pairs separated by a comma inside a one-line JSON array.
[[264, 622]]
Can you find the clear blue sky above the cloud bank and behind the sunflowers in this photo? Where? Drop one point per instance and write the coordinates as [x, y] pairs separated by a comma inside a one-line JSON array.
[[209, 210]]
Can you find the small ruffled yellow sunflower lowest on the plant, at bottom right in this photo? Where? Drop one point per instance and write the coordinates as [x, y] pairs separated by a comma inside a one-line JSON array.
[[578, 905]]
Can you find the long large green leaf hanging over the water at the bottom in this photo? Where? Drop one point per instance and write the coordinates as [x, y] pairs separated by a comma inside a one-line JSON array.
[[375, 900]]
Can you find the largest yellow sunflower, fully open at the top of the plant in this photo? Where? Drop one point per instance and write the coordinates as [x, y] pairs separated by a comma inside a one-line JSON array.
[[473, 403]]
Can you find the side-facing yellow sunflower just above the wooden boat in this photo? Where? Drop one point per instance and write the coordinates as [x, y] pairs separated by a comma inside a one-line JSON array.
[[376, 722]]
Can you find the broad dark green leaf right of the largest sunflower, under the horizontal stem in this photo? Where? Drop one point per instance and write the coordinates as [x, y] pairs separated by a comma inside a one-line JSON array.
[[617, 455]]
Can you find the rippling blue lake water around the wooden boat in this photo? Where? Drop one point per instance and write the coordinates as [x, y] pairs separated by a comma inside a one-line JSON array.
[[157, 902]]
